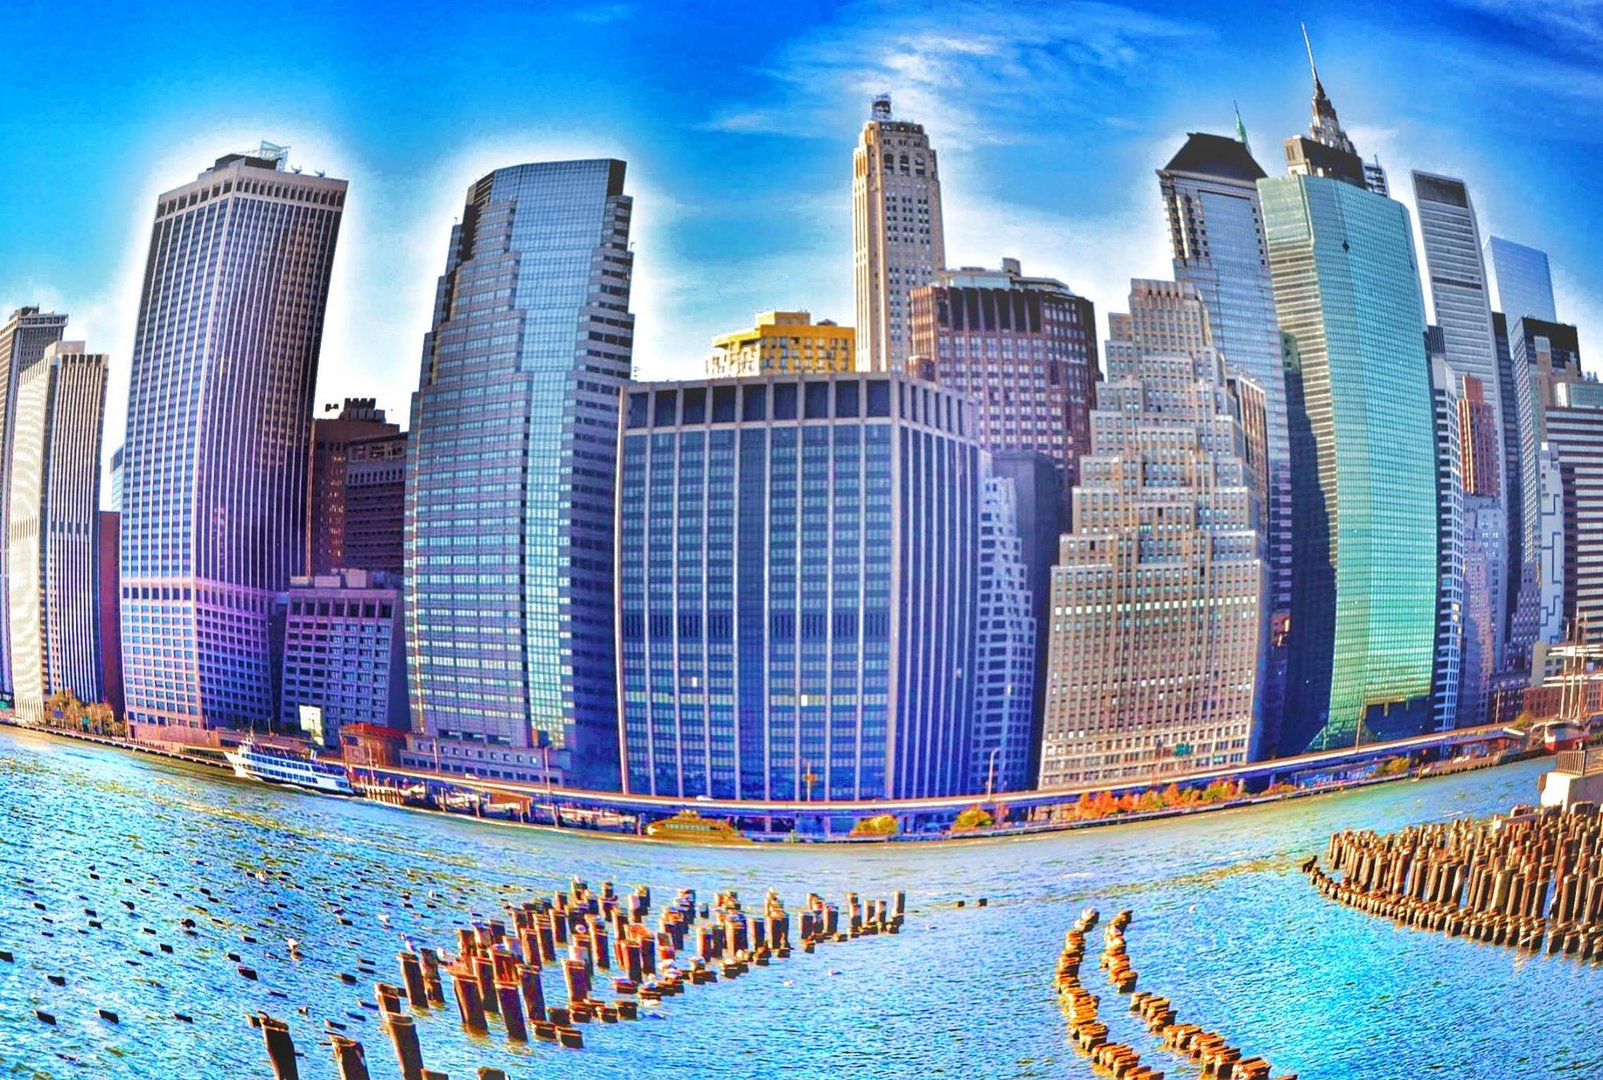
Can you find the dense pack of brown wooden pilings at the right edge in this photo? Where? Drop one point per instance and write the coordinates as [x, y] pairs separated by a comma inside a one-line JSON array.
[[1527, 881]]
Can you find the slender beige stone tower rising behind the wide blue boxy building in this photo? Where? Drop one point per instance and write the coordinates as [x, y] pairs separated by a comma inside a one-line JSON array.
[[897, 233]]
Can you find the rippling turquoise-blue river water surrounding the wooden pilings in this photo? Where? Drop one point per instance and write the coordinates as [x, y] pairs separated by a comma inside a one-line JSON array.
[[1224, 925]]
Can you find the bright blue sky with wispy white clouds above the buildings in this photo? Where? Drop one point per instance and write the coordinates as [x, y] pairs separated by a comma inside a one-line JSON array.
[[738, 123]]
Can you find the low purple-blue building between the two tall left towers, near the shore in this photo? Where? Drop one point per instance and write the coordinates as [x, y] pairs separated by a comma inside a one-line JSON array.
[[344, 655]]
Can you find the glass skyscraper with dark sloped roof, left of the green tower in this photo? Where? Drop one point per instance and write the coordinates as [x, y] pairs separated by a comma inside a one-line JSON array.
[[1216, 238]]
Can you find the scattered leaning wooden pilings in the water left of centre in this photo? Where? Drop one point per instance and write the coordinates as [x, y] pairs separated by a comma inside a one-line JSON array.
[[591, 937]]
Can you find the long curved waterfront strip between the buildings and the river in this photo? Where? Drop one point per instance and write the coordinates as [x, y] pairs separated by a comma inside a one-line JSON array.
[[796, 840]]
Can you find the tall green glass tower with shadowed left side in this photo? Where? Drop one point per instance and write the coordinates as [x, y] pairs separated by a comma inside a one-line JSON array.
[[1363, 485]]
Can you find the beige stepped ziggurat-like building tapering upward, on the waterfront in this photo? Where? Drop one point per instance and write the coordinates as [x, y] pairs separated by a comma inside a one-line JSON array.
[[1158, 597]]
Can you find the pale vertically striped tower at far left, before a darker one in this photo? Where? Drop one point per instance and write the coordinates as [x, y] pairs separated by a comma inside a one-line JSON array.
[[54, 528]]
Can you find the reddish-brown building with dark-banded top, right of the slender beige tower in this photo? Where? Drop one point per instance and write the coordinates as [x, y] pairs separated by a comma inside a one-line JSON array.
[[1022, 349]]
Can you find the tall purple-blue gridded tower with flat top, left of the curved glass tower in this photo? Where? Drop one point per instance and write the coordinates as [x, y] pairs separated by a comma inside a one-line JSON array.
[[224, 369]]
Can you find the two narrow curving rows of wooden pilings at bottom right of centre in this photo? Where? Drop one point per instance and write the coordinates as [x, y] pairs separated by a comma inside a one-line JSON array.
[[1208, 1050]]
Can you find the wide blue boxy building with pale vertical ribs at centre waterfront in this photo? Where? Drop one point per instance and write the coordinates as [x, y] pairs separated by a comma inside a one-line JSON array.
[[799, 573]]
